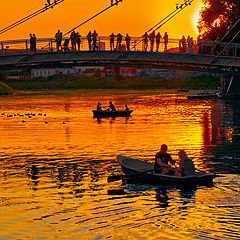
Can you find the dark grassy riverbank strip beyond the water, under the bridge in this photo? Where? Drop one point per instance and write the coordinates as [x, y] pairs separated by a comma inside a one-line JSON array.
[[66, 82]]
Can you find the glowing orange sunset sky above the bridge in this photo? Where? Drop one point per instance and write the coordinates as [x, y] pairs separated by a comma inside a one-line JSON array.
[[130, 16]]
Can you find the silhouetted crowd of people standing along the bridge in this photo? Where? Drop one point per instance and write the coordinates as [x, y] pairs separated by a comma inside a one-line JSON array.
[[150, 42]]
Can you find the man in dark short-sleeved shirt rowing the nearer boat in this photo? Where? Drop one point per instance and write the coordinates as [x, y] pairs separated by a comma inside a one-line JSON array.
[[162, 160]]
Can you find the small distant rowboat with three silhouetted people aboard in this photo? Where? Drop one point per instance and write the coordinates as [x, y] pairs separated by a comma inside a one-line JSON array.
[[111, 111]]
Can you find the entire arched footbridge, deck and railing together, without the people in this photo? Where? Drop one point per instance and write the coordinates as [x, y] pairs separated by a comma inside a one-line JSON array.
[[16, 54]]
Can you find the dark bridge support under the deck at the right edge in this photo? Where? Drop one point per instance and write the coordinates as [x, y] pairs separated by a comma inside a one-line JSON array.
[[230, 86]]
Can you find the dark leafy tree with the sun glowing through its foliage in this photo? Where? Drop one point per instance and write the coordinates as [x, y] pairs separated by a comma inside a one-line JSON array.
[[216, 19]]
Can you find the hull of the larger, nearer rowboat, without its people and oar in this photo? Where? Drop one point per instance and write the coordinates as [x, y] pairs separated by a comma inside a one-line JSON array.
[[133, 166]]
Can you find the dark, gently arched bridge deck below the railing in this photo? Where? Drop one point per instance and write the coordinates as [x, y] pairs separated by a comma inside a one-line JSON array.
[[123, 58]]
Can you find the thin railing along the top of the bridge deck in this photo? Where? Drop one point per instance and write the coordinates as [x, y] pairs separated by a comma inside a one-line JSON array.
[[22, 46]]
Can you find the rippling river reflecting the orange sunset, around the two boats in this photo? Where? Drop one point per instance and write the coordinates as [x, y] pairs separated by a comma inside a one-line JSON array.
[[55, 159]]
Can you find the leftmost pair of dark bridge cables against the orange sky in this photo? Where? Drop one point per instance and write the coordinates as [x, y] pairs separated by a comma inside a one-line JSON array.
[[42, 10]]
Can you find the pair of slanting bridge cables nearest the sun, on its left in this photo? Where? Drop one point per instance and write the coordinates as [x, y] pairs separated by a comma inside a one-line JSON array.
[[166, 19]]
